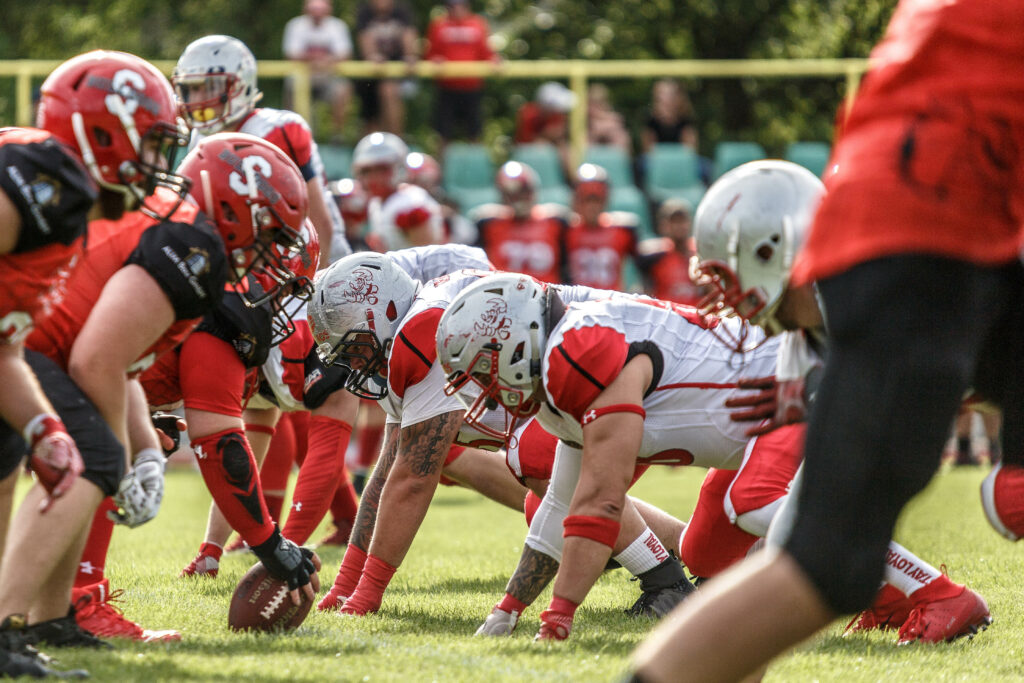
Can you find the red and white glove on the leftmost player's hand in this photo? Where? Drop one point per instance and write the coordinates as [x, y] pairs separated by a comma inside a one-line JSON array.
[[55, 457]]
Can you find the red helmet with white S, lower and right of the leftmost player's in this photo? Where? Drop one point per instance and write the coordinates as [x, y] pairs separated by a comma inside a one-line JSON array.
[[257, 197]]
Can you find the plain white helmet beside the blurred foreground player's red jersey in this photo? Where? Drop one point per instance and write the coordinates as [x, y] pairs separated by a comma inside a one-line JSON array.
[[748, 230]]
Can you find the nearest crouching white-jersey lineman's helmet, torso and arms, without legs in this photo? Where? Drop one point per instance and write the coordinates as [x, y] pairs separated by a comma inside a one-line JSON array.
[[621, 382]]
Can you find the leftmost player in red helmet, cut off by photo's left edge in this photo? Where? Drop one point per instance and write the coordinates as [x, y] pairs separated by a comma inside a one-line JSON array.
[[105, 119]]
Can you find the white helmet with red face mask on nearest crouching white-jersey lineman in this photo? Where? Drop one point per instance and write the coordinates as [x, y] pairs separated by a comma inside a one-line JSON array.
[[490, 344]]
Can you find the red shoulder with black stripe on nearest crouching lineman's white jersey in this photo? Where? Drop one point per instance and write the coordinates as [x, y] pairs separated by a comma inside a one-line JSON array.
[[582, 366]]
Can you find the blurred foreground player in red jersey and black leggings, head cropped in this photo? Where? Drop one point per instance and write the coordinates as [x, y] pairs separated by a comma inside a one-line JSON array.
[[925, 203]]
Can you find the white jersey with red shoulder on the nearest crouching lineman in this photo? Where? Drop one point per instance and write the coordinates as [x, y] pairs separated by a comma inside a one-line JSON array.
[[695, 373]]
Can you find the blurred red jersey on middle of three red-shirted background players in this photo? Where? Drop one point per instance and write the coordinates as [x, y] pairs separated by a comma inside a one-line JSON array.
[[598, 253]]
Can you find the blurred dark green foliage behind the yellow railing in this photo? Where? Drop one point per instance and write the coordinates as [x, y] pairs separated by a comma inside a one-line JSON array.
[[770, 111]]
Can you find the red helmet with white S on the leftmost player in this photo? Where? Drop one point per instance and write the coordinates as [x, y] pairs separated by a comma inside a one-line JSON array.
[[118, 112]]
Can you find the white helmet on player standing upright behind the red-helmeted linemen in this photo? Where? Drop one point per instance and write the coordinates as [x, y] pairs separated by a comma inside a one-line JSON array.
[[216, 83]]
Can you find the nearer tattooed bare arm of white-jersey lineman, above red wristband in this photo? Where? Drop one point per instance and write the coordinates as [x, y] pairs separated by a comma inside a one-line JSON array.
[[411, 484]]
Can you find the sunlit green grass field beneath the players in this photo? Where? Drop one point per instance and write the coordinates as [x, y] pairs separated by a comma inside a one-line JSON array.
[[457, 571]]
